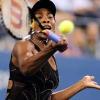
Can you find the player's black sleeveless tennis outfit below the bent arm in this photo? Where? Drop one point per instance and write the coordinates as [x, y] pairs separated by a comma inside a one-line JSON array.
[[36, 87]]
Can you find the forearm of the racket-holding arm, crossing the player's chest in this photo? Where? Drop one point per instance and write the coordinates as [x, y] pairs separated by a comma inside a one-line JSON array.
[[35, 62]]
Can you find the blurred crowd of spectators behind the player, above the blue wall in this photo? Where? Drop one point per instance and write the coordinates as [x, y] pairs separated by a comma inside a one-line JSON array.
[[84, 40]]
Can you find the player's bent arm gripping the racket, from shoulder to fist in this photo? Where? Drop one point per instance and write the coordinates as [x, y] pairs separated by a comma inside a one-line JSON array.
[[30, 62]]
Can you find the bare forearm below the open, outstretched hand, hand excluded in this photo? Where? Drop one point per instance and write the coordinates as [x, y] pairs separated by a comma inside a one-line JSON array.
[[67, 93]]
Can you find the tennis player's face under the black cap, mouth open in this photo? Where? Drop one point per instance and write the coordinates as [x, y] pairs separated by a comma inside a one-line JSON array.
[[46, 19]]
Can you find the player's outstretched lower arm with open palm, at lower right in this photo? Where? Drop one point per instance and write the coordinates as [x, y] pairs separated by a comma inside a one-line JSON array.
[[66, 94]]
